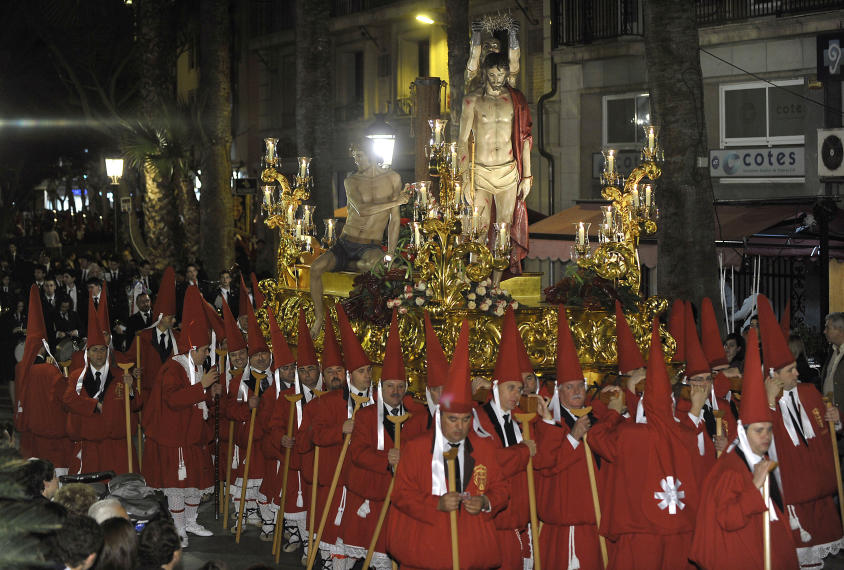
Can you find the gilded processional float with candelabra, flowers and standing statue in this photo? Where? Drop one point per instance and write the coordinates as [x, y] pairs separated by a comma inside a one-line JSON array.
[[450, 254]]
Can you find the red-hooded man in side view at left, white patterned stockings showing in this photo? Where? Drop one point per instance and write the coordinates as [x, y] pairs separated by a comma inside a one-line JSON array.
[[177, 455]]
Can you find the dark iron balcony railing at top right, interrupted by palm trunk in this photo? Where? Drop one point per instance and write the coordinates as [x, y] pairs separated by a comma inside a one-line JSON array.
[[577, 22]]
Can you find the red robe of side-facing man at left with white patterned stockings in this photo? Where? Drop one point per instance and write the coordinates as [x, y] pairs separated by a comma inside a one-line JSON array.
[[175, 426]]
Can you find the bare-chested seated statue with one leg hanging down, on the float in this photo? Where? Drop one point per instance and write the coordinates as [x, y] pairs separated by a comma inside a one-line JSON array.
[[374, 196]]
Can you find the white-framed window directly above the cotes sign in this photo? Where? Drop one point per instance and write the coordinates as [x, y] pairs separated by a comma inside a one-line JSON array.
[[762, 113]]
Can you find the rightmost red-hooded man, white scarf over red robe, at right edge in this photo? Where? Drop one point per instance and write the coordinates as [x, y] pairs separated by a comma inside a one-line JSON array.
[[803, 449]]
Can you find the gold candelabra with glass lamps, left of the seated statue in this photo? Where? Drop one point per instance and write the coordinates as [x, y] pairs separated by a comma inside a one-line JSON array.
[[281, 203]]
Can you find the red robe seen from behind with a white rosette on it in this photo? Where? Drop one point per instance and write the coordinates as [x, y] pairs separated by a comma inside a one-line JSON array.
[[645, 536]]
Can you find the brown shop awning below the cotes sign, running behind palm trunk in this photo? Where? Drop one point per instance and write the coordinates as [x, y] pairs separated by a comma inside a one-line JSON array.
[[747, 229]]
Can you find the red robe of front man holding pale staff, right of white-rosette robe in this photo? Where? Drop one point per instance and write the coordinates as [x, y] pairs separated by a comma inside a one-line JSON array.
[[728, 533]]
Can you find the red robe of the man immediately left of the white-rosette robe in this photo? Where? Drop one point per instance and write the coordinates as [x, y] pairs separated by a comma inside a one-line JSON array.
[[564, 495]]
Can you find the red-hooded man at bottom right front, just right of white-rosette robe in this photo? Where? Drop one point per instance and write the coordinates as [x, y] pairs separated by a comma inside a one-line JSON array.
[[728, 532]]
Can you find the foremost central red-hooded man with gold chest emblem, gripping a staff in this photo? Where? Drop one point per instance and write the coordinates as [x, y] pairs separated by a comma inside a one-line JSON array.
[[421, 483]]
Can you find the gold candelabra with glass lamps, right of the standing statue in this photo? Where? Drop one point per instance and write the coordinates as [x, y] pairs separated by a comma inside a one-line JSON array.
[[631, 214]]
